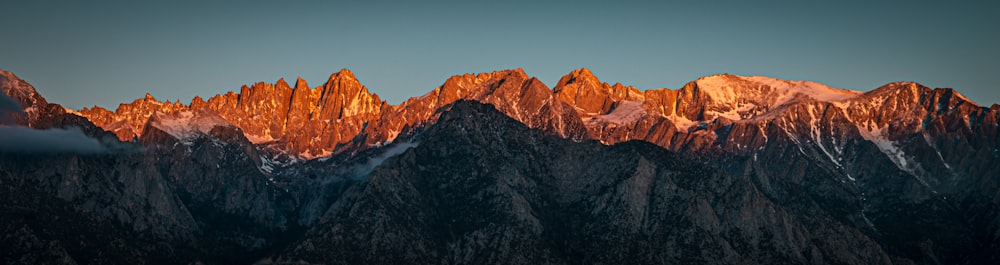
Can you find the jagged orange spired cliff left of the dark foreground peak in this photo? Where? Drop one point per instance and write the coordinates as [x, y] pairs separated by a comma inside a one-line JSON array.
[[302, 121]]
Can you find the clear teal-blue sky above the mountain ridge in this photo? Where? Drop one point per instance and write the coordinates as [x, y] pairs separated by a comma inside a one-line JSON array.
[[79, 53]]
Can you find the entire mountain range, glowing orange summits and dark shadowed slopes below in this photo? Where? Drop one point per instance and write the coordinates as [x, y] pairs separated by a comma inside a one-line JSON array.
[[499, 168]]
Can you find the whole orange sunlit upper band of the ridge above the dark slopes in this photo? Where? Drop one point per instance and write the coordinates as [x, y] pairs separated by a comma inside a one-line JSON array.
[[721, 112]]
